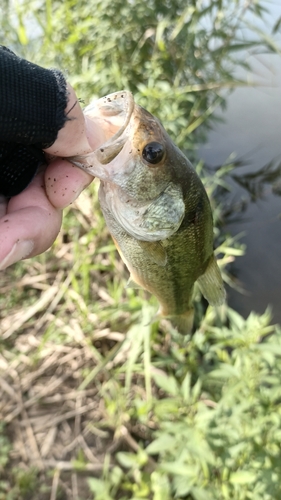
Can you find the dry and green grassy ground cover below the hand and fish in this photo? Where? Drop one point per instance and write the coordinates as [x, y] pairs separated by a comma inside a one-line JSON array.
[[100, 401]]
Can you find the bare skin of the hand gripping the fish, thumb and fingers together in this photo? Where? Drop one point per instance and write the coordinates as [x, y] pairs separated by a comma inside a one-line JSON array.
[[30, 221]]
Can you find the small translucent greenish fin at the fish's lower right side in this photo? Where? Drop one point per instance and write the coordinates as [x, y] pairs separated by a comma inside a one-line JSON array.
[[211, 284]]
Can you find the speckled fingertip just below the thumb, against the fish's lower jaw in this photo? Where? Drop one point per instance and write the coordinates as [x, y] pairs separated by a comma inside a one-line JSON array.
[[64, 182]]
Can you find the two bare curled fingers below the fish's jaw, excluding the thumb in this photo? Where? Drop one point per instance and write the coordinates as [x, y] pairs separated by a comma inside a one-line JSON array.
[[30, 221]]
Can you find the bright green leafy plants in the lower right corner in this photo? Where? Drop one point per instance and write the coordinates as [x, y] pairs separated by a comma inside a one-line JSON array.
[[214, 417]]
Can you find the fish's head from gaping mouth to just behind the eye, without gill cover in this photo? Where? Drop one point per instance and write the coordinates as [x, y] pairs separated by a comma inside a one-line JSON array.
[[136, 152]]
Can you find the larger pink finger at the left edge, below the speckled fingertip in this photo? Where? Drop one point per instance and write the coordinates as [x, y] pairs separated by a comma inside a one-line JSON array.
[[30, 225]]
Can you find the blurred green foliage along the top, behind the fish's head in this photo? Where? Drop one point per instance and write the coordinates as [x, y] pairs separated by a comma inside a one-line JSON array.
[[179, 53]]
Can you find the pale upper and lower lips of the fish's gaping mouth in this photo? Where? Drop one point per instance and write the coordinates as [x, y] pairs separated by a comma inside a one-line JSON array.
[[94, 162]]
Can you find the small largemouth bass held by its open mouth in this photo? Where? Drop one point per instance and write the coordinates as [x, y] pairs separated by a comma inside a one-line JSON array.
[[155, 207]]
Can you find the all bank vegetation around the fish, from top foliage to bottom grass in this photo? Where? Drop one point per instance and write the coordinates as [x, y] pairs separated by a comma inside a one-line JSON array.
[[97, 399]]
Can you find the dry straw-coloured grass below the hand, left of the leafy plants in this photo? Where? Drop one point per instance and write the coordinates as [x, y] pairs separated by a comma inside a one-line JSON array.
[[62, 329]]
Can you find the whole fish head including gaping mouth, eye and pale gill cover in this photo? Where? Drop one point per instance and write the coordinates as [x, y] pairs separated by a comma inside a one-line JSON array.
[[140, 169]]
